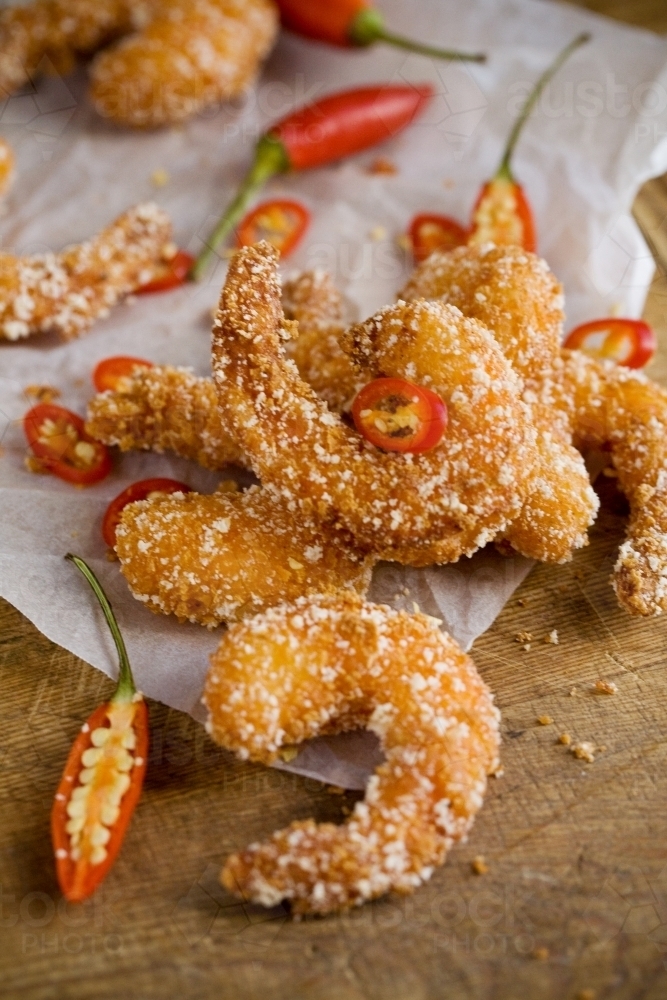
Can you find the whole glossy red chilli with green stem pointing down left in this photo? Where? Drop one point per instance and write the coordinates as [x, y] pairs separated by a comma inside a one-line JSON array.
[[337, 126]]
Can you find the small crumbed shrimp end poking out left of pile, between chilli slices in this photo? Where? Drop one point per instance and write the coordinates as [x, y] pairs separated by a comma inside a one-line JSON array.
[[165, 409]]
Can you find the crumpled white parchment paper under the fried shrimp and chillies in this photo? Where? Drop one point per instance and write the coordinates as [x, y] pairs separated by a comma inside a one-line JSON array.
[[599, 132]]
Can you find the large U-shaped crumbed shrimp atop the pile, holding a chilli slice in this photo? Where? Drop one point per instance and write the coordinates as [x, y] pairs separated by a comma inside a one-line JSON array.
[[417, 509]]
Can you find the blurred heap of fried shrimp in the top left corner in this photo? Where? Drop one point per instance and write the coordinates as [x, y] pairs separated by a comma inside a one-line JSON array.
[[174, 57]]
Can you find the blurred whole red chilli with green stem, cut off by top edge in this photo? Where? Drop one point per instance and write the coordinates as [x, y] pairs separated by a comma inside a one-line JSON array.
[[353, 22]]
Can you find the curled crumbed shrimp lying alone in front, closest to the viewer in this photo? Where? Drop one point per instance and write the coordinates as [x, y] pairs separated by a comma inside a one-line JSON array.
[[327, 665]]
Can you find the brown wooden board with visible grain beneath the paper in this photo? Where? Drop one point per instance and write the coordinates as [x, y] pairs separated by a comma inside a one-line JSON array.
[[575, 897]]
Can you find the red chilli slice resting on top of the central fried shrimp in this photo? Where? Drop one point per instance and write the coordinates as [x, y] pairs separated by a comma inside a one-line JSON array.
[[397, 415]]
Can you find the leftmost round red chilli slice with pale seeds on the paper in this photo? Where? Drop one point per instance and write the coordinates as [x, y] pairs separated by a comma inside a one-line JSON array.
[[59, 442]]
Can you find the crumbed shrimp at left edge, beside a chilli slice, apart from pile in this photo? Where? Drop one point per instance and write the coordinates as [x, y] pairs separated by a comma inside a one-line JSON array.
[[66, 292]]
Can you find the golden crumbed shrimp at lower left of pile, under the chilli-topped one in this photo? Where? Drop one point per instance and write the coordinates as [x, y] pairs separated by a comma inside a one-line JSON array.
[[219, 558]]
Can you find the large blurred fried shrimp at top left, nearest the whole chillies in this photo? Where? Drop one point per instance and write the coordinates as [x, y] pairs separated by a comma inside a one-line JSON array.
[[189, 54]]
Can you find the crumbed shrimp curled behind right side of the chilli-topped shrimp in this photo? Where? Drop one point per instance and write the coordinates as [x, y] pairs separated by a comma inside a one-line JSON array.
[[514, 293]]
